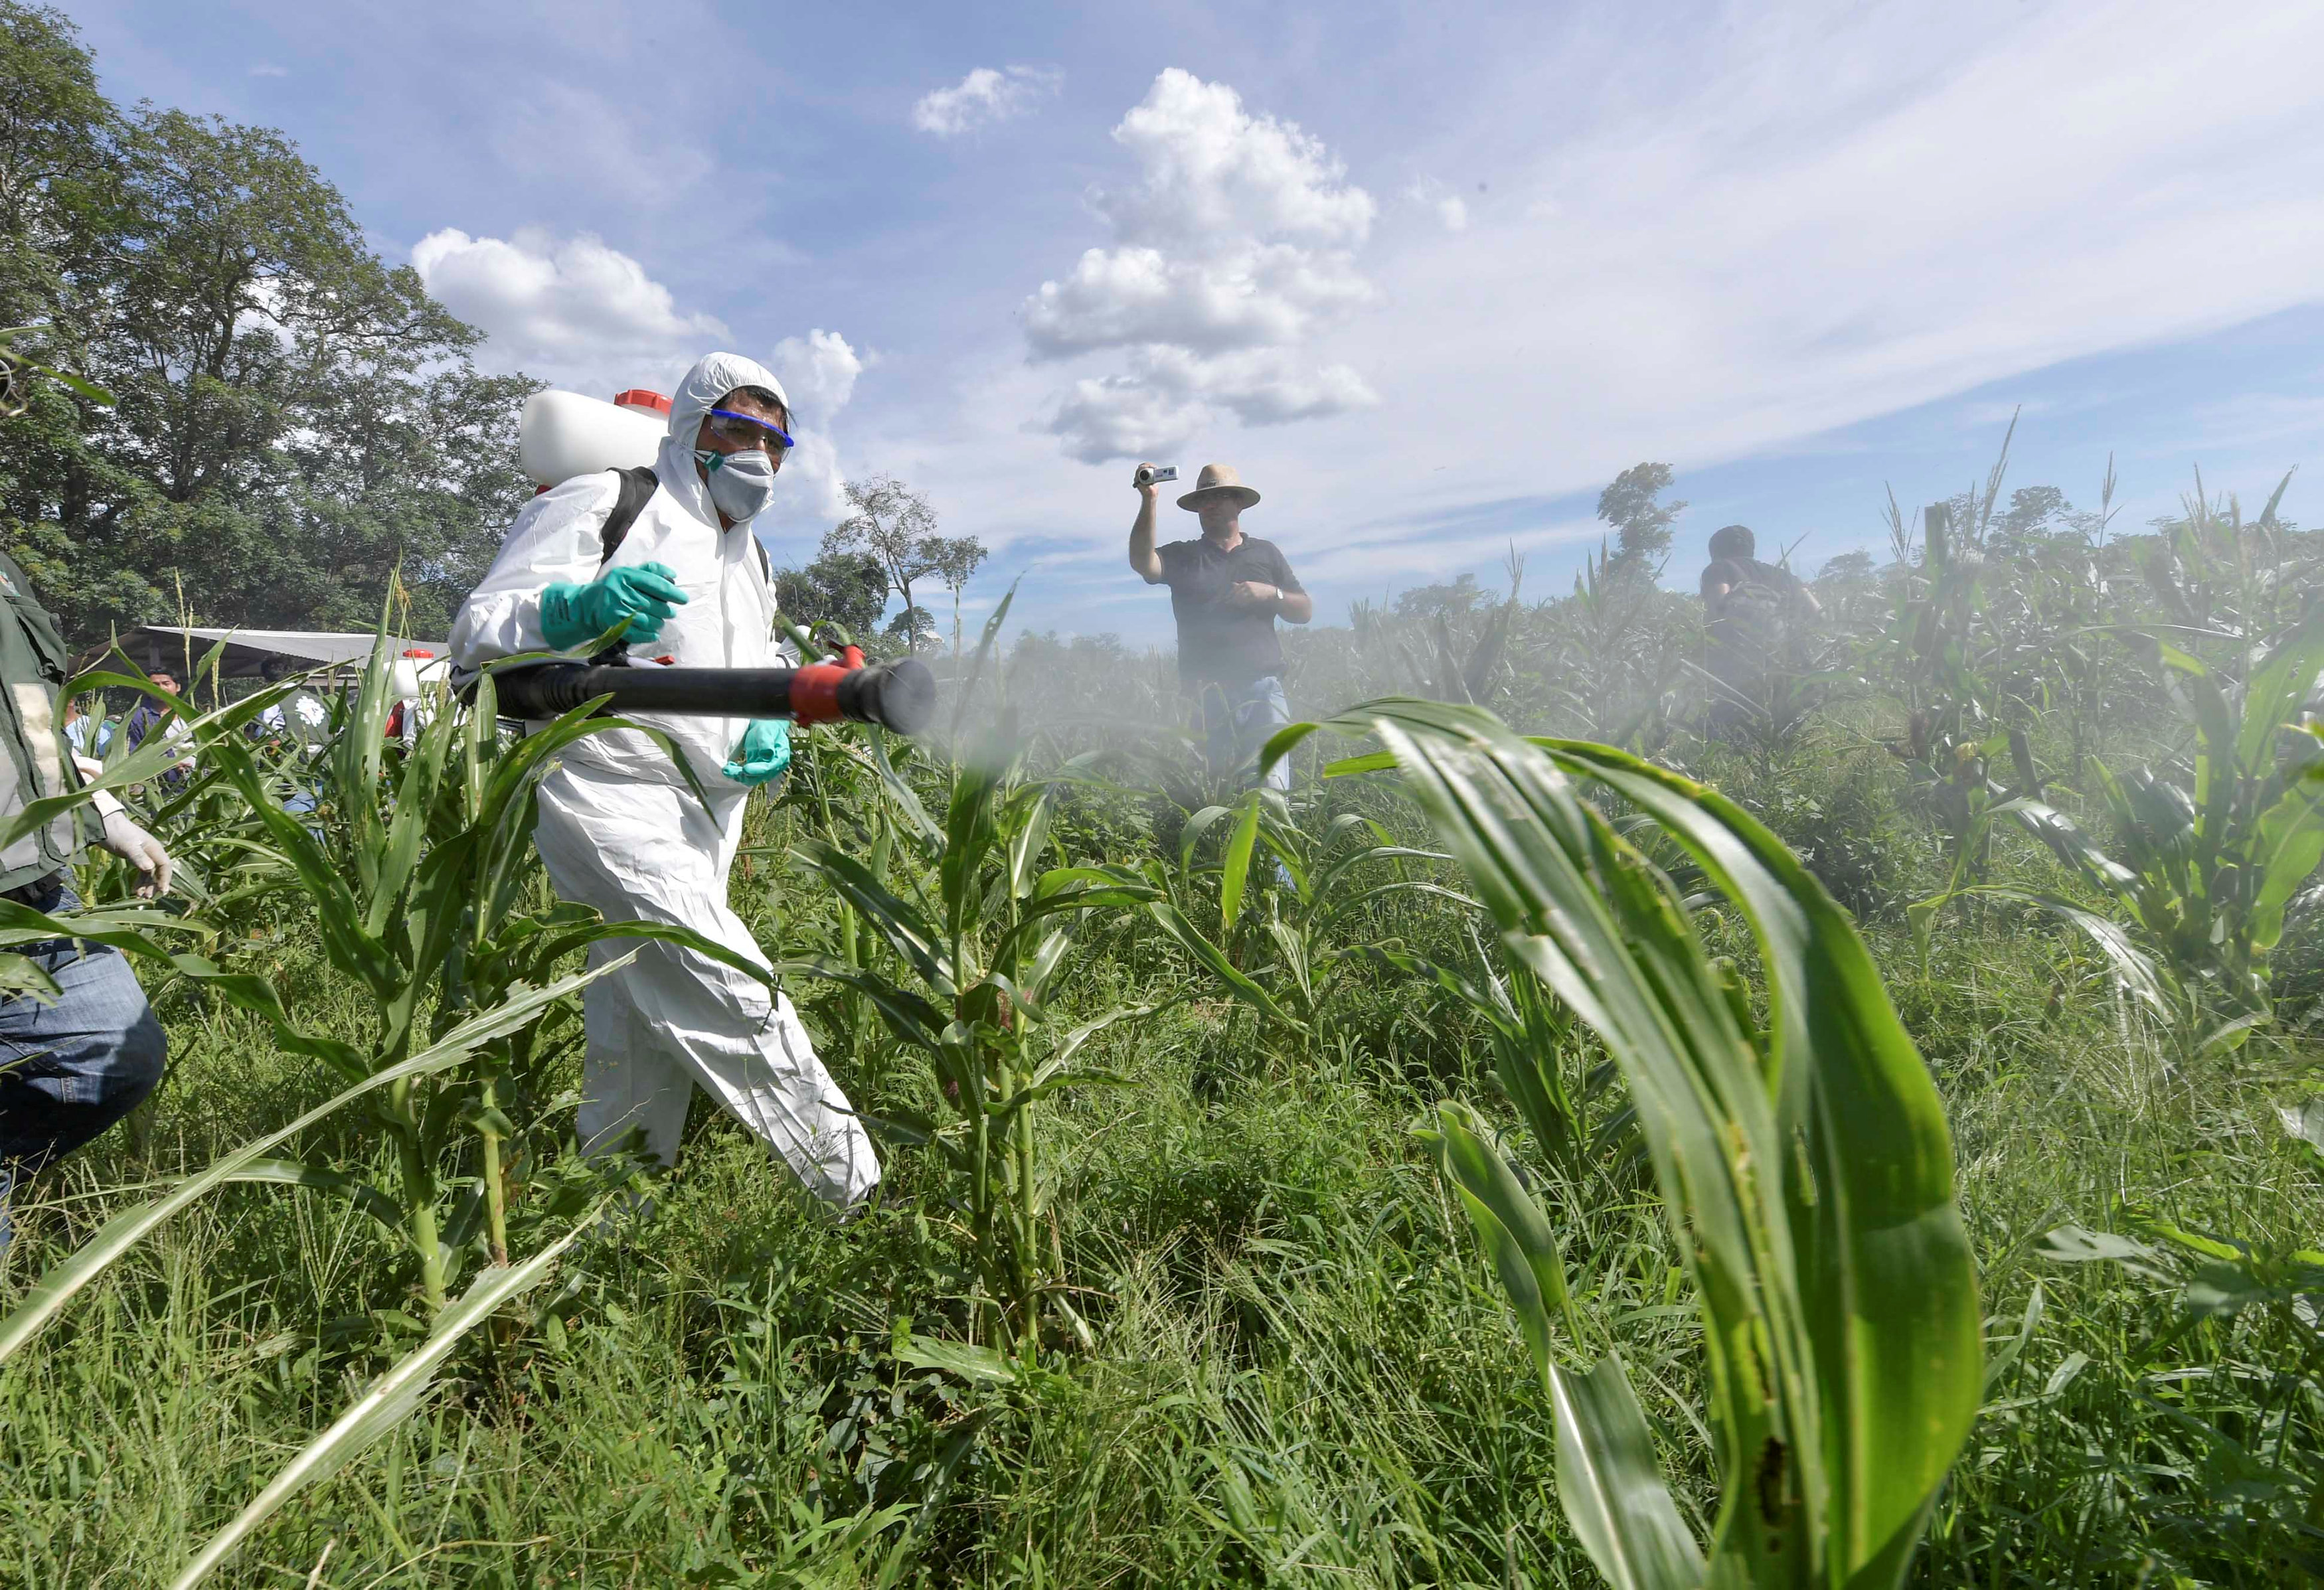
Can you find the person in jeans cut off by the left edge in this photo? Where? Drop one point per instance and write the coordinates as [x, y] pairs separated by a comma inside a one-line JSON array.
[[76, 1063]]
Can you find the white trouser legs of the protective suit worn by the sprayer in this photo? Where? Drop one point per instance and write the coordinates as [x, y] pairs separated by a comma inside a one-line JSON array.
[[647, 852]]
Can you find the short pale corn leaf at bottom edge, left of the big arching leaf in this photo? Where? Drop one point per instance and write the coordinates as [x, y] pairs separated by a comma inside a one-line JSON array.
[[1612, 1489]]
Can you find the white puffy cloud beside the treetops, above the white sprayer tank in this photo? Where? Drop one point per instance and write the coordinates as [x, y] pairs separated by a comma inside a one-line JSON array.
[[568, 310]]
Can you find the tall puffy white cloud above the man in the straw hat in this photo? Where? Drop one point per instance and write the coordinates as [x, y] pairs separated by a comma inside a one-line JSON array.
[[1231, 252]]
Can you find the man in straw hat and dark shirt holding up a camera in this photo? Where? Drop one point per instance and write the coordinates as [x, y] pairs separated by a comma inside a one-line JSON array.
[[1226, 592]]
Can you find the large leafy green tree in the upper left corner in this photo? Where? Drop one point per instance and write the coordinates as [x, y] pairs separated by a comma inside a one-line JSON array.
[[296, 420]]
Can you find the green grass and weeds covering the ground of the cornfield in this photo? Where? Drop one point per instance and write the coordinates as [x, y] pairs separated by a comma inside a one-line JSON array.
[[1261, 1342]]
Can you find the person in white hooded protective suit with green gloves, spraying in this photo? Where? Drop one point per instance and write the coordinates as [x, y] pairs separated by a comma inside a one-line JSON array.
[[622, 831]]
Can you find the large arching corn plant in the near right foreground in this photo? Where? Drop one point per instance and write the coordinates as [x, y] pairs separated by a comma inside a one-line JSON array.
[[1807, 1170]]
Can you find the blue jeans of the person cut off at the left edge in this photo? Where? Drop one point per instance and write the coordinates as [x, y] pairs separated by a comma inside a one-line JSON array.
[[73, 1068]]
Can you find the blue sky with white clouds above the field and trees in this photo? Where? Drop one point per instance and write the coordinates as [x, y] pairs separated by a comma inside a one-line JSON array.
[[1428, 278]]
